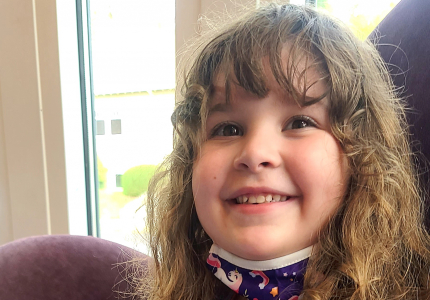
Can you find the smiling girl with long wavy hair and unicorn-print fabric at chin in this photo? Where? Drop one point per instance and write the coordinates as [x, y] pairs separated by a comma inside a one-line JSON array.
[[291, 172]]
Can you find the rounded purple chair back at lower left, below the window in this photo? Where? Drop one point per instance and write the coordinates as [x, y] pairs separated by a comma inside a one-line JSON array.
[[67, 267]]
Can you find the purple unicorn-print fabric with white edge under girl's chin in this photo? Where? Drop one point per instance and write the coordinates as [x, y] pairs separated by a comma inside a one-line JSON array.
[[279, 278]]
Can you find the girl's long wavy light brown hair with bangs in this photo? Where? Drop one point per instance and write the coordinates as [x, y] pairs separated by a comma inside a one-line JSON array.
[[375, 246]]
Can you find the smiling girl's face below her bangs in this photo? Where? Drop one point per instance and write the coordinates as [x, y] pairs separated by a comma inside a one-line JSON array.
[[267, 150]]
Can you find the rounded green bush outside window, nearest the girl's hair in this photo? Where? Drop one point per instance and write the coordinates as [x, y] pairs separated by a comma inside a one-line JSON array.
[[135, 180]]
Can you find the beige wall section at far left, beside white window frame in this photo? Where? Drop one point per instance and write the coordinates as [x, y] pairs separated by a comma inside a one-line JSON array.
[[32, 169]]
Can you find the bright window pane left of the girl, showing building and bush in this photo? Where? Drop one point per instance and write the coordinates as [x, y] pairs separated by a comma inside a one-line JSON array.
[[133, 55]]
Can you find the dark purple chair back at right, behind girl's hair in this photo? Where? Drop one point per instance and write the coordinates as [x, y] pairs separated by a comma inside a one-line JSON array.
[[403, 39]]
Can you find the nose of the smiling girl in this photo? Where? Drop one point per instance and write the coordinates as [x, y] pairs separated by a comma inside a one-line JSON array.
[[258, 152]]
